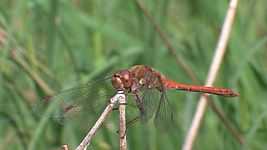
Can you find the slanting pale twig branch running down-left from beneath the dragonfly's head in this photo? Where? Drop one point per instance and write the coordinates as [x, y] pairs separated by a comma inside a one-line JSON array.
[[87, 139]]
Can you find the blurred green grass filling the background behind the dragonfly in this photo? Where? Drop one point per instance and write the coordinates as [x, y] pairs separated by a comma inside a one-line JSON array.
[[47, 46]]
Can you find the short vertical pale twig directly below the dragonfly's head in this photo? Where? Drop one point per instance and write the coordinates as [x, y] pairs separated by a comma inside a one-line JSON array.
[[122, 130]]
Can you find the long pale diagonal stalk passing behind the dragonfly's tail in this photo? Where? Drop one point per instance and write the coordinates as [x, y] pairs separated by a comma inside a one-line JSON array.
[[217, 59]]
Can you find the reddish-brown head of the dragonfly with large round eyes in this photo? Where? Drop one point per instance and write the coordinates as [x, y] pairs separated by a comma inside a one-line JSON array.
[[122, 80]]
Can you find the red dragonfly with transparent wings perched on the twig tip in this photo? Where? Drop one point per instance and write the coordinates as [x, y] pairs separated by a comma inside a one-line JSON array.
[[146, 86]]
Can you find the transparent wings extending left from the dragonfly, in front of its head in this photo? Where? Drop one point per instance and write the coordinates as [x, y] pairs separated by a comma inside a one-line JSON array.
[[83, 102]]
